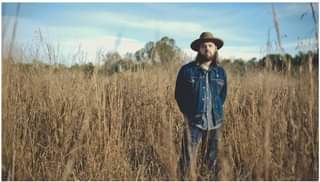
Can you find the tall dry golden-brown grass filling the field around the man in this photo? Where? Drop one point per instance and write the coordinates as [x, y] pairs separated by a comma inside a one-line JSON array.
[[62, 125]]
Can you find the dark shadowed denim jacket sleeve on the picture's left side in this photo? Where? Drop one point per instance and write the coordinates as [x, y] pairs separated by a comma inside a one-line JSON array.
[[179, 91]]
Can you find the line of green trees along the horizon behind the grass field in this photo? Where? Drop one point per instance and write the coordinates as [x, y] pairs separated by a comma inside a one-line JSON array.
[[166, 52]]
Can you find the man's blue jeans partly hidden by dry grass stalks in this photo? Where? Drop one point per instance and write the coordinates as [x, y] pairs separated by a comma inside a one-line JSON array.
[[198, 151]]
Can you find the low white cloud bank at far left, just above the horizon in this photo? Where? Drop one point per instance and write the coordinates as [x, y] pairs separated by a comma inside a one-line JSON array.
[[90, 39]]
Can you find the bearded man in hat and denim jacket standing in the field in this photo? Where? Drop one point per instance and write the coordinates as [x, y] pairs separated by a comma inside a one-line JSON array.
[[201, 89]]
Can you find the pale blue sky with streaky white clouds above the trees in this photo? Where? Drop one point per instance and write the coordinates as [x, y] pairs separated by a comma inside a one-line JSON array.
[[126, 27]]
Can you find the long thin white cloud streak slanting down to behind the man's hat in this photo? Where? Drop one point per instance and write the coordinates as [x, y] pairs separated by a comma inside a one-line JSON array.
[[176, 29]]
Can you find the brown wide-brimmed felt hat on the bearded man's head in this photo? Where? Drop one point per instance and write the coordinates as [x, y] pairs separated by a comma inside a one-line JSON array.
[[206, 37]]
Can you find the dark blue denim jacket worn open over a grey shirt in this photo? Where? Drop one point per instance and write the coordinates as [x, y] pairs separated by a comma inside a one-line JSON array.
[[190, 92]]
